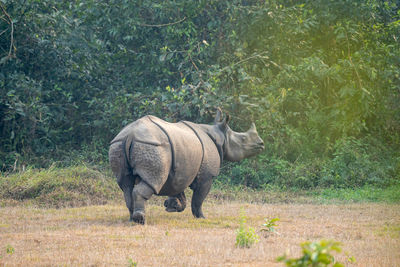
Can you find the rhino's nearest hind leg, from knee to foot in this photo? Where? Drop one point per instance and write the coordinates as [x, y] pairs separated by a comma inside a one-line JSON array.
[[141, 192]]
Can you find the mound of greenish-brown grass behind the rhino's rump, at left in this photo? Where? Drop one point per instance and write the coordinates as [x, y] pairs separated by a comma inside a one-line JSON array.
[[59, 187]]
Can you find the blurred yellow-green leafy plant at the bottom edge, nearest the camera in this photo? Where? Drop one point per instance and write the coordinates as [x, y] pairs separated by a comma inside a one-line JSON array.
[[315, 254]]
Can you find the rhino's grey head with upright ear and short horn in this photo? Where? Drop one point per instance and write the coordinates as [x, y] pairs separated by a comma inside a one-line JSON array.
[[238, 146]]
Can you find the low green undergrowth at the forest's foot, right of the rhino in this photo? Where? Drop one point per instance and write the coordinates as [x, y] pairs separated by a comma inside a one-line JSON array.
[[354, 163]]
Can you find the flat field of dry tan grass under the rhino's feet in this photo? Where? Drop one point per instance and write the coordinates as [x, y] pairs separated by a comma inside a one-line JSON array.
[[102, 236]]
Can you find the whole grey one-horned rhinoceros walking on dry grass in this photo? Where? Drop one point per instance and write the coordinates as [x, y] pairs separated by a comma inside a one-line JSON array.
[[153, 157]]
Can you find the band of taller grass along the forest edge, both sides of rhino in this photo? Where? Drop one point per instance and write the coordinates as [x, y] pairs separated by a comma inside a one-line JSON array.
[[82, 185]]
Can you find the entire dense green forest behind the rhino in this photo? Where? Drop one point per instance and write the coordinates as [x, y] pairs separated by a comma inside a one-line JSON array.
[[321, 80]]
